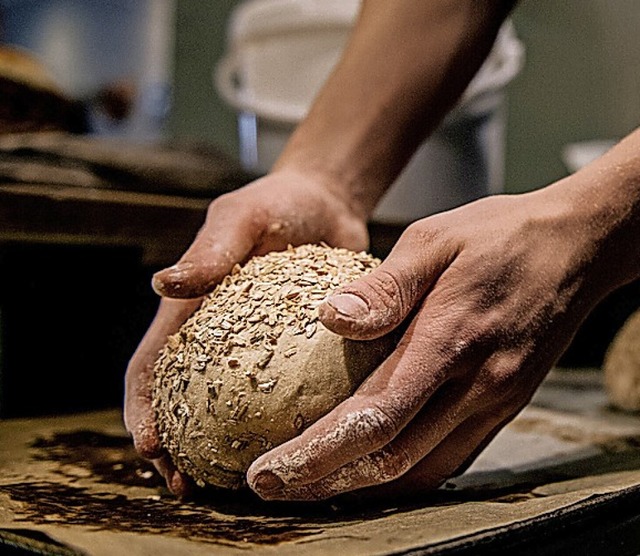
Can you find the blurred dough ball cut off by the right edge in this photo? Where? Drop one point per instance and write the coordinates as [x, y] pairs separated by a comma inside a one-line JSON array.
[[622, 366]]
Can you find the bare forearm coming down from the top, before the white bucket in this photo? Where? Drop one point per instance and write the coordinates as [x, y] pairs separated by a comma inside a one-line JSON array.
[[406, 65]]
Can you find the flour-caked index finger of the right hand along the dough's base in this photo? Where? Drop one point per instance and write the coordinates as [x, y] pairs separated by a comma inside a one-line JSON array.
[[373, 416]]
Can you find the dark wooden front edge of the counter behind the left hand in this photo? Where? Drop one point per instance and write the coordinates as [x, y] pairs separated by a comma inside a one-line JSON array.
[[161, 226]]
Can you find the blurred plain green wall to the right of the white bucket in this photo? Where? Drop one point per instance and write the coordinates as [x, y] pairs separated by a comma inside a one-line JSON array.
[[581, 81]]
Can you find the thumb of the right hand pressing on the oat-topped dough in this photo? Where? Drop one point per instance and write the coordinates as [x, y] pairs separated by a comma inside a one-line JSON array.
[[377, 303]]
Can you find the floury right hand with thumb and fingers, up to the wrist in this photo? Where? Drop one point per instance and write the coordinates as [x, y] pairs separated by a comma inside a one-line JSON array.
[[494, 292]]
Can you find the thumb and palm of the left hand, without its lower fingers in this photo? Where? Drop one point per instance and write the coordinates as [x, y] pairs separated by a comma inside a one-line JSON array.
[[267, 215]]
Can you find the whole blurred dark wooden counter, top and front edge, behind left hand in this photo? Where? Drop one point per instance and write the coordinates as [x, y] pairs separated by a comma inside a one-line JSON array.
[[64, 188]]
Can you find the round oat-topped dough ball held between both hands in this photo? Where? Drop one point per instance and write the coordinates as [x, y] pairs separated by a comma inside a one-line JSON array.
[[253, 367]]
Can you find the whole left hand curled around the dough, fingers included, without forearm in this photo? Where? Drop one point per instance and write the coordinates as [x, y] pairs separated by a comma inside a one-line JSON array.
[[268, 214]]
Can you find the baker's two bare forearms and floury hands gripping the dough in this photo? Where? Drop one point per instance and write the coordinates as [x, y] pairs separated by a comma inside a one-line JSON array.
[[491, 293]]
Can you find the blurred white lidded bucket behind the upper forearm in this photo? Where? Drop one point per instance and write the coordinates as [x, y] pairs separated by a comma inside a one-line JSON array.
[[280, 52]]
